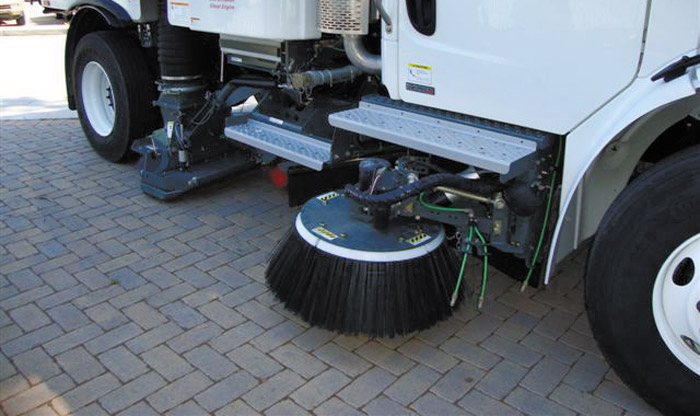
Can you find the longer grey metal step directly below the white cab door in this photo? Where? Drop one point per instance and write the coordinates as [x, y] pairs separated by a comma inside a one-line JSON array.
[[452, 140]]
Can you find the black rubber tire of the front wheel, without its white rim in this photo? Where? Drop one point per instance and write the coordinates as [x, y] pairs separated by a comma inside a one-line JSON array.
[[651, 218]]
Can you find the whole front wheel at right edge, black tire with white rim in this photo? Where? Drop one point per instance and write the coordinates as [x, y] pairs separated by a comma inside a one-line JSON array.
[[642, 285]]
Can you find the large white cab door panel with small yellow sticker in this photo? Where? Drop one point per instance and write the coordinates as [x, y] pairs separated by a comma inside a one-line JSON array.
[[544, 64]]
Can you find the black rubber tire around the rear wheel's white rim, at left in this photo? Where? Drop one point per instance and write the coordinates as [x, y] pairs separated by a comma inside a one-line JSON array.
[[132, 88]]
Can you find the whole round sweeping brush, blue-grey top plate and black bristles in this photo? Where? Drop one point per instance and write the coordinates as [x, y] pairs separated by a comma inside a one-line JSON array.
[[338, 272]]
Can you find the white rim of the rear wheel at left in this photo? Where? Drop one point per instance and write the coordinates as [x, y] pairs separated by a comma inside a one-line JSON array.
[[98, 99]]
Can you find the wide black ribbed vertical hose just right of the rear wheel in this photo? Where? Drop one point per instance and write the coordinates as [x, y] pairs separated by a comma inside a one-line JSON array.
[[180, 51]]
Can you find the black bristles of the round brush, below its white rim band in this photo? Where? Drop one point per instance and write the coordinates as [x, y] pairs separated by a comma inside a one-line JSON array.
[[352, 297]]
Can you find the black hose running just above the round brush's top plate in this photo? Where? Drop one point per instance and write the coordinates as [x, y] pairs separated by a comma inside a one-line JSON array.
[[382, 201]]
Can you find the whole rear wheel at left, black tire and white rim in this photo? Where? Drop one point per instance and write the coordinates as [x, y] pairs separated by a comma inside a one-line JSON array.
[[114, 91]]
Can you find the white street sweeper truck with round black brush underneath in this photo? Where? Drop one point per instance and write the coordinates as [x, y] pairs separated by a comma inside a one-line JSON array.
[[420, 134]]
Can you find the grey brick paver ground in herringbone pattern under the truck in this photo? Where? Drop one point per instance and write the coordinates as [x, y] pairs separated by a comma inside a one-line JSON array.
[[114, 303]]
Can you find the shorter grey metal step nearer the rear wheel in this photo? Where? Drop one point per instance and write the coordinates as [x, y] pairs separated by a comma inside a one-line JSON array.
[[307, 151]]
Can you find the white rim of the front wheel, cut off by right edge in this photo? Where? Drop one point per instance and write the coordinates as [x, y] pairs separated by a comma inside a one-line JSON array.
[[676, 303]]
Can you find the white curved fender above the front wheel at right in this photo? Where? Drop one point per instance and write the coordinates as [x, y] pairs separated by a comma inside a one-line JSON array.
[[588, 141]]
